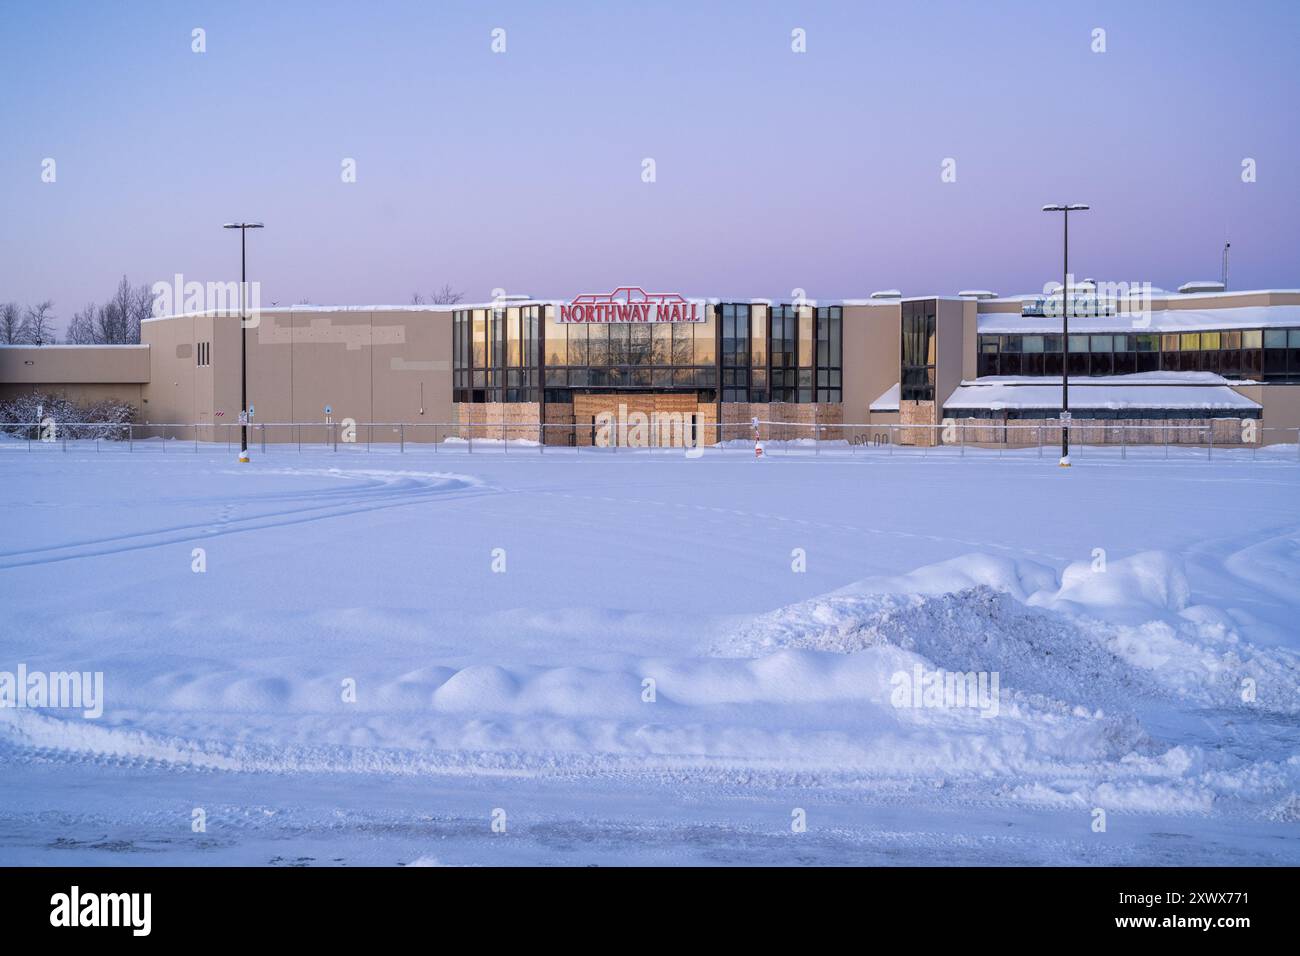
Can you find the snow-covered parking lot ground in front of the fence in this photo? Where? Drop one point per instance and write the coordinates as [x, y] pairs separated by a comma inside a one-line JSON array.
[[618, 659]]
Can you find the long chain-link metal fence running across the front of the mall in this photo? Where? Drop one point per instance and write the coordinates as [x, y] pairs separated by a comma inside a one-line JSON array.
[[1089, 438]]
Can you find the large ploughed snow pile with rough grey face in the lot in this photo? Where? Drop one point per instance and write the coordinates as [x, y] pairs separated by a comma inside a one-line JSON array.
[[1098, 637]]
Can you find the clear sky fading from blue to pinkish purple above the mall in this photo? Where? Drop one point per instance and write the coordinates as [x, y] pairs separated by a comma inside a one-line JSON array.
[[522, 171]]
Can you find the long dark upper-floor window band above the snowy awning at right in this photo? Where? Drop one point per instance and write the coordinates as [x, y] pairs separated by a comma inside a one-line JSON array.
[[1260, 354]]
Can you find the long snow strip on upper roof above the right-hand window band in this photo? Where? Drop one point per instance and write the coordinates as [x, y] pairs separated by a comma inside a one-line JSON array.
[[1155, 321]]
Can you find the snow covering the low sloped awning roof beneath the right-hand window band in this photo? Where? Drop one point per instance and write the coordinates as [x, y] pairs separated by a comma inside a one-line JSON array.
[[1110, 392]]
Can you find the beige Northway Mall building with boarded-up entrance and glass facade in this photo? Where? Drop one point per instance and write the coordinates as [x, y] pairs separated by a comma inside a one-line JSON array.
[[525, 369]]
